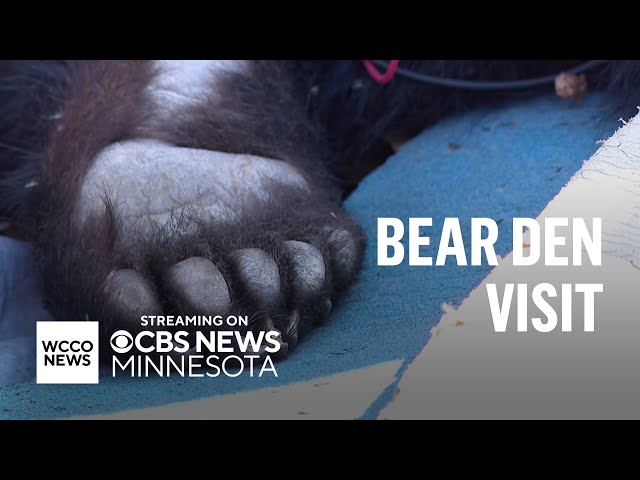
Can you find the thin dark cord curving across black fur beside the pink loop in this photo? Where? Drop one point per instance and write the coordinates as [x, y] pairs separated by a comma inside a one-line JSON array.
[[488, 85]]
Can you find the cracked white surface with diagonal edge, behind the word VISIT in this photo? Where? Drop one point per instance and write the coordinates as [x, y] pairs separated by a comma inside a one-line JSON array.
[[467, 370]]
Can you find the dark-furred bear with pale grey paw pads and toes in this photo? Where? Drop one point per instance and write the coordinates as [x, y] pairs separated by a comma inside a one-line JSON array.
[[215, 186]]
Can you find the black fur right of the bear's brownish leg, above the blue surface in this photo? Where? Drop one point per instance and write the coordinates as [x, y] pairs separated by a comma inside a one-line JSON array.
[[359, 116]]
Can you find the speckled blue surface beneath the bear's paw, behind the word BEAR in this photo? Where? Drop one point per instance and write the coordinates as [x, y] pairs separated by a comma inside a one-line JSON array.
[[495, 163]]
